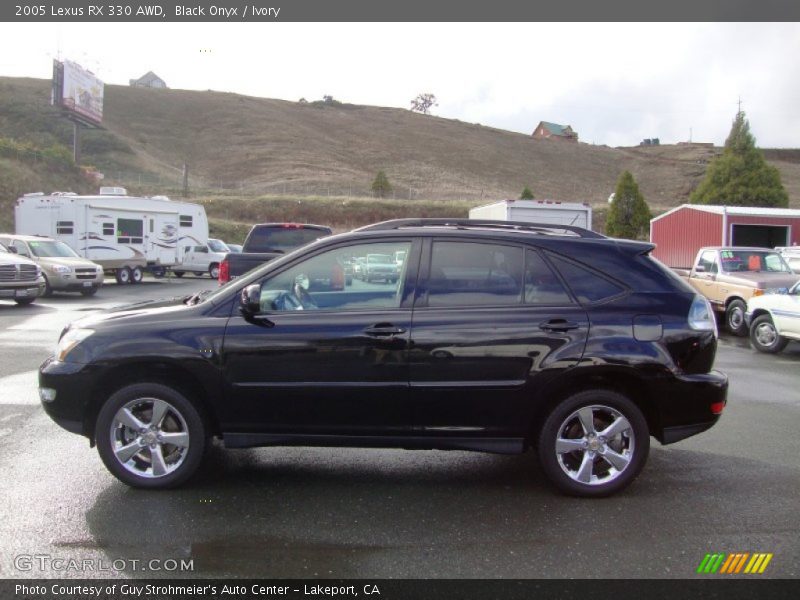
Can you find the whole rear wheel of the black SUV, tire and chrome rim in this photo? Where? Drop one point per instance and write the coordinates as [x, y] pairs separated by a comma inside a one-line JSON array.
[[629, 447]]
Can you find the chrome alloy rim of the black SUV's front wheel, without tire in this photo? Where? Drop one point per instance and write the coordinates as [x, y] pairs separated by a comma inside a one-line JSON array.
[[149, 437]]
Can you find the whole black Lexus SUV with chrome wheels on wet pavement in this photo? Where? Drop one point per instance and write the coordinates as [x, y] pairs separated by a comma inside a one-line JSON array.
[[494, 336]]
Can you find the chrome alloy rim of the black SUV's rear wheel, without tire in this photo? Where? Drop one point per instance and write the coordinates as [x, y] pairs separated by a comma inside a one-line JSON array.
[[595, 445]]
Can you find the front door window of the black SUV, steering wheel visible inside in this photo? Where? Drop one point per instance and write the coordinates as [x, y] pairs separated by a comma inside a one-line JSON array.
[[359, 277]]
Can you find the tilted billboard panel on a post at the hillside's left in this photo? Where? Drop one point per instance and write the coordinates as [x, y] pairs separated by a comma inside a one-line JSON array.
[[78, 91]]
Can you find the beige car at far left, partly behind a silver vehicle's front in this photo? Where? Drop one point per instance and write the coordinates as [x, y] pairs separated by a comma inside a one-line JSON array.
[[62, 268]]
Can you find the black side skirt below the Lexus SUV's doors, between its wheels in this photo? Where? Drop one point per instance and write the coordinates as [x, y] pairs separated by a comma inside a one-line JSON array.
[[493, 445]]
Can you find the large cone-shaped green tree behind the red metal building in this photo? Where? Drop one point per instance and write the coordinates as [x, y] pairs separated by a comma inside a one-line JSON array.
[[741, 176]]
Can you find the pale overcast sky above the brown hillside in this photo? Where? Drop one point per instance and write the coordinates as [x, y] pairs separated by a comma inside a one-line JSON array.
[[615, 84]]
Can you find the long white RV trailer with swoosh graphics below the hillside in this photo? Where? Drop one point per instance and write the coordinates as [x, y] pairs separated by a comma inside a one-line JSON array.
[[125, 234]]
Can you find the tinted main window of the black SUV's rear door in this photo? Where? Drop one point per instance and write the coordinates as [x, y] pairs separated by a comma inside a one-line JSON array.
[[471, 274]]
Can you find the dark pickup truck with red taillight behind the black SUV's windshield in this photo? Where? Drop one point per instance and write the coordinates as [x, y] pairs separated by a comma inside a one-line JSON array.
[[267, 241]]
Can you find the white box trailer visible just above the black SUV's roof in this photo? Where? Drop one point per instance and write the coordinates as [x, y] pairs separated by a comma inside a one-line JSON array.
[[549, 212]]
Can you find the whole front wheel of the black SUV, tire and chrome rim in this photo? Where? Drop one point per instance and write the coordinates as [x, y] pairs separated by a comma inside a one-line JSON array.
[[150, 436]]
